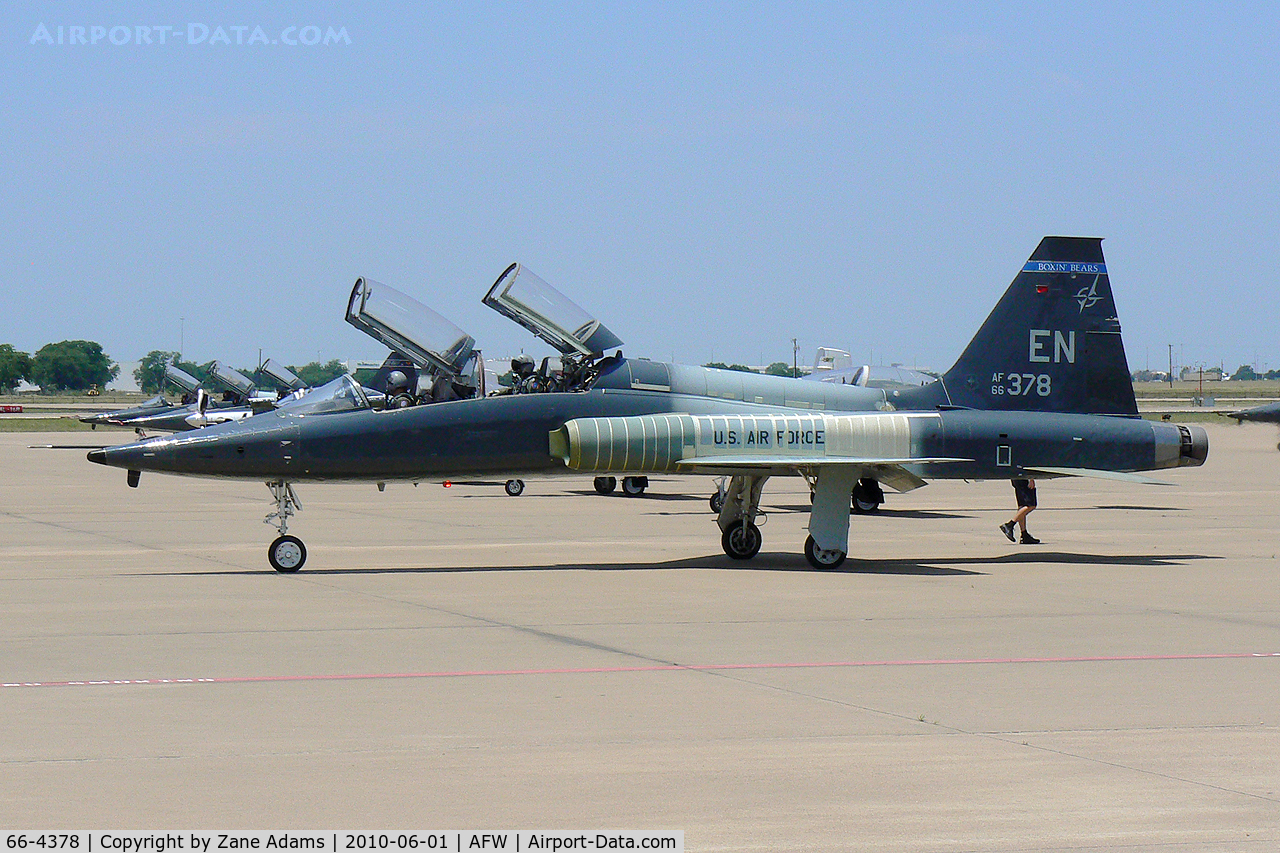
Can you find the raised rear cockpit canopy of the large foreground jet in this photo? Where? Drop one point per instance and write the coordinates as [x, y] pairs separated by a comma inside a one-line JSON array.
[[527, 299]]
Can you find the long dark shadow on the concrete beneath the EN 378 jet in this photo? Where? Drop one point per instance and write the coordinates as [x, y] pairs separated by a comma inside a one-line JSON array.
[[772, 562]]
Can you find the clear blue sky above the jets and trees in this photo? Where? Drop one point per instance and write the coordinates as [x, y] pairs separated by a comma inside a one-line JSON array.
[[712, 180]]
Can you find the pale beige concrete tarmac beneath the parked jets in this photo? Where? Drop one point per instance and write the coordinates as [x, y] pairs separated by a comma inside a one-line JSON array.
[[459, 659]]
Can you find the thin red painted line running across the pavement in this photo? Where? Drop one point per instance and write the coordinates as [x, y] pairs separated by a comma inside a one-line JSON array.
[[656, 668]]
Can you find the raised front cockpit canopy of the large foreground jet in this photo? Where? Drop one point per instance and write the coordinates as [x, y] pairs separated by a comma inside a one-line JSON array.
[[409, 327]]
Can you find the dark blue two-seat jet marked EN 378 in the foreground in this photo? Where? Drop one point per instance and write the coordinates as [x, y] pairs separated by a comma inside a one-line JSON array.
[[1041, 391]]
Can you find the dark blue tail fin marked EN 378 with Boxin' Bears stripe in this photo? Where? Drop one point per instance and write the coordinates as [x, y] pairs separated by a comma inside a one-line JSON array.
[[1053, 343]]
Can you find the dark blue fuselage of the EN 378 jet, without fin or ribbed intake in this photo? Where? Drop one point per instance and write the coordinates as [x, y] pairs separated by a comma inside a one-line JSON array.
[[509, 436]]
